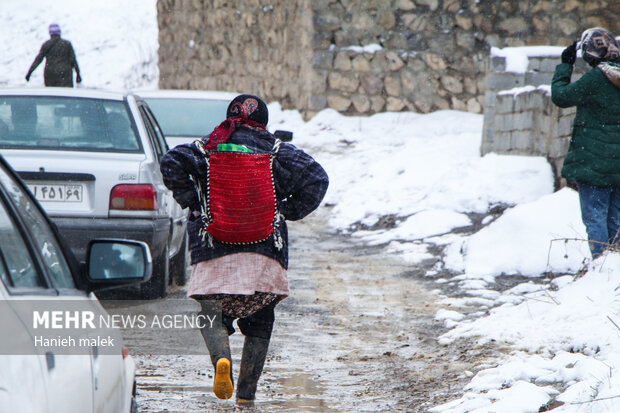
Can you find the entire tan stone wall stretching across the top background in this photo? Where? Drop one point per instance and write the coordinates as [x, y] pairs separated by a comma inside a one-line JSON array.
[[359, 56]]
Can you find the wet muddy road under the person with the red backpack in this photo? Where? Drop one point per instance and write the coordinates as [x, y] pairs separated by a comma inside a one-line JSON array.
[[357, 334]]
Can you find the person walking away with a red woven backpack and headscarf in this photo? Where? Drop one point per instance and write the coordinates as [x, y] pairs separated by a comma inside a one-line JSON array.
[[236, 275]]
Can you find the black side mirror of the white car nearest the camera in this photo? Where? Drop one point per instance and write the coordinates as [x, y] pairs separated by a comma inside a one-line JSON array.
[[112, 263]]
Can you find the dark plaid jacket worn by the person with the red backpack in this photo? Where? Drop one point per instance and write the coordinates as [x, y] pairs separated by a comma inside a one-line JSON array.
[[300, 185]]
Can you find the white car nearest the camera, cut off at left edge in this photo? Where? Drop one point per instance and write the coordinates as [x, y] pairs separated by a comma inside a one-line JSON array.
[[38, 273]]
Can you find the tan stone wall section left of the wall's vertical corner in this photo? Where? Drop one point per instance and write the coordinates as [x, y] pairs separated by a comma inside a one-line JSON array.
[[248, 46]]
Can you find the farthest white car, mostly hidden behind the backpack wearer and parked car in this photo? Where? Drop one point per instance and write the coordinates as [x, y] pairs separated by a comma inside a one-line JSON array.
[[187, 115]]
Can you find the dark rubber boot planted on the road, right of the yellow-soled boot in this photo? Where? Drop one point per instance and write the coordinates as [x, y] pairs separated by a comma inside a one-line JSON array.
[[252, 362]]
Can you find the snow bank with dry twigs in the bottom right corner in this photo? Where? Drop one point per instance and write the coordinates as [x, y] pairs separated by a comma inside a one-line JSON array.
[[569, 336]]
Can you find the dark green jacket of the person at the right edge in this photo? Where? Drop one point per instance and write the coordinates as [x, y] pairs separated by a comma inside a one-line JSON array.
[[594, 151]]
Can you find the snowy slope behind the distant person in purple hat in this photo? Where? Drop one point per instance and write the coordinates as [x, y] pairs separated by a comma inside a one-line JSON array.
[[115, 45]]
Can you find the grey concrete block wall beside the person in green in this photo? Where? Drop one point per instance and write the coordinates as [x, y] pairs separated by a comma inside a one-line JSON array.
[[519, 116]]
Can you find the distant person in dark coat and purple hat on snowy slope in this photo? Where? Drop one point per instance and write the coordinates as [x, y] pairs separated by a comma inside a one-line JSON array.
[[59, 58]]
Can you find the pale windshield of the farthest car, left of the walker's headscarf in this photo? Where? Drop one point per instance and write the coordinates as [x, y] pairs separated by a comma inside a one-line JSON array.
[[188, 117]]
